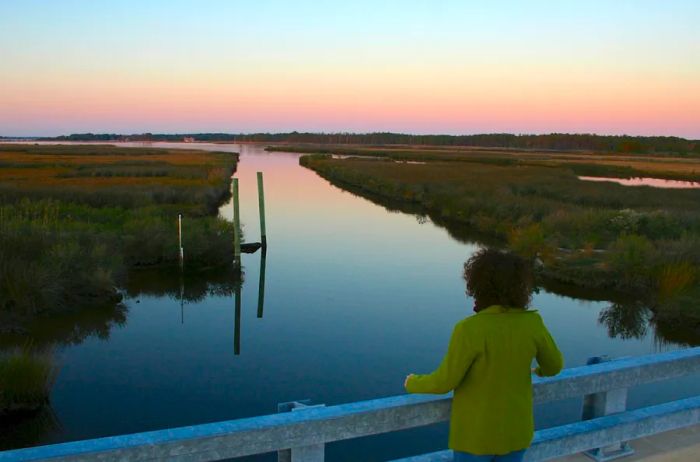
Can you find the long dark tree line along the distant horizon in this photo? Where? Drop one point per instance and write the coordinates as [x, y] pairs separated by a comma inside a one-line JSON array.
[[553, 141]]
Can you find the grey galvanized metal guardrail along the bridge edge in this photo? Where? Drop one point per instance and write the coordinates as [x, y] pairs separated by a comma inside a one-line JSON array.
[[301, 435]]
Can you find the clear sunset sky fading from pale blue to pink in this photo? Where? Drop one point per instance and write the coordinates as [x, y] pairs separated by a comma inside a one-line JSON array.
[[128, 66]]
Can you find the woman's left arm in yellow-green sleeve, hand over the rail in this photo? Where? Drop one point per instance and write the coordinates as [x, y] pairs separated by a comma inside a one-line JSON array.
[[450, 372]]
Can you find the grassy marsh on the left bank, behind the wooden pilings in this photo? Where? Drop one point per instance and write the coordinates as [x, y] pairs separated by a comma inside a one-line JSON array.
[[74, 219]]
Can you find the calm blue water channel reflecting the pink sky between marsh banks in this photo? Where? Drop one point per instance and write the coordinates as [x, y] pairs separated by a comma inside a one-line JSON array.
[[355, 298]]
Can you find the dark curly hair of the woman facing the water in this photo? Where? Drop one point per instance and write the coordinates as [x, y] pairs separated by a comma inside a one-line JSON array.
[[495, 277]]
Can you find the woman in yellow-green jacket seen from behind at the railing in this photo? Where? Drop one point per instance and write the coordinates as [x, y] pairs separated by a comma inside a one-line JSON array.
[[489, 359]]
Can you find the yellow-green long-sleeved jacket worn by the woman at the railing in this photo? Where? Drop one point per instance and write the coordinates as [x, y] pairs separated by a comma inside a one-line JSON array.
[[488, 365]]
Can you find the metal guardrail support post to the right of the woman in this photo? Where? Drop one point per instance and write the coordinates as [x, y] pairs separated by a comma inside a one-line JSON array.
[[602, 404]]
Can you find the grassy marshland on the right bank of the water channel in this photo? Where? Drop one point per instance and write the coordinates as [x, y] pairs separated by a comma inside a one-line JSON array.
[[641, 240]]
